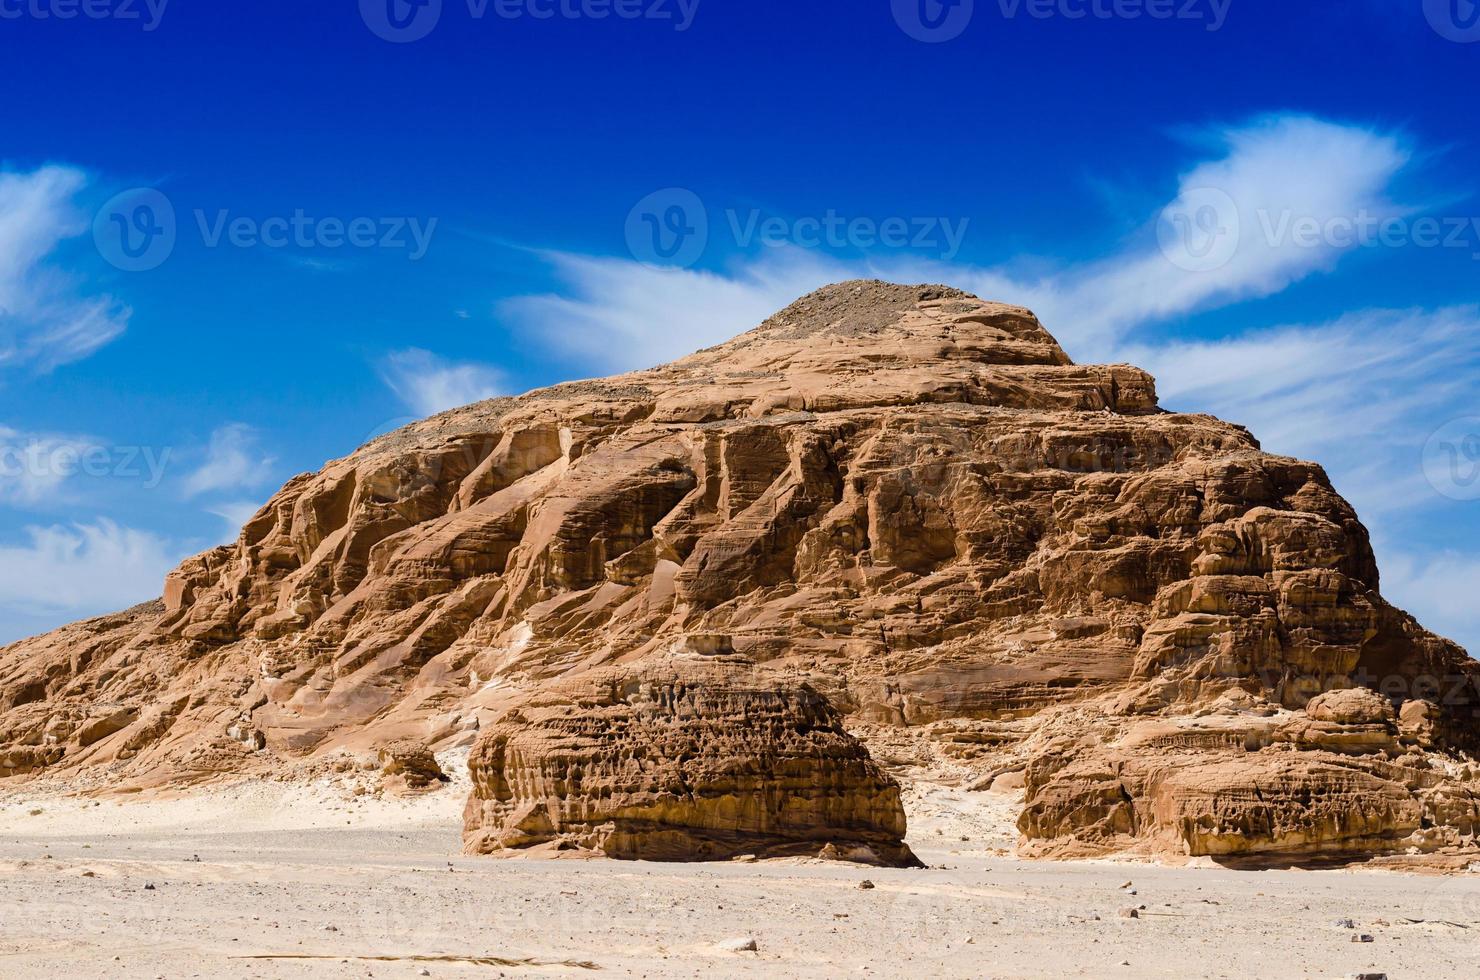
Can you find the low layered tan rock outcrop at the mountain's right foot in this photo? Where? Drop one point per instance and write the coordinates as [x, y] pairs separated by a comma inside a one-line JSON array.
[[1235, 784]]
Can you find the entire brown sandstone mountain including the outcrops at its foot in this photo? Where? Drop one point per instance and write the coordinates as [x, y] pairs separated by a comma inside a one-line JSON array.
[[899, 506]]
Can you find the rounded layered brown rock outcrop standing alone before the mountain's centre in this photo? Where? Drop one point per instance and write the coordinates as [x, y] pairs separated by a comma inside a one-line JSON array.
[[682, 760]]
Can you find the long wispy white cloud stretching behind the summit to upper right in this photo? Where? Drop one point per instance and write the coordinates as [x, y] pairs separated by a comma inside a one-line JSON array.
[[621, 313]]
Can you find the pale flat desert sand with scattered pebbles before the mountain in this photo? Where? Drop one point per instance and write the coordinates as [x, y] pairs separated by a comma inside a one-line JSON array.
[[272, 880]]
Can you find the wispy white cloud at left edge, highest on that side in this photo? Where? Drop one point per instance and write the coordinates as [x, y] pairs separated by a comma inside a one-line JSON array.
[[45, 320]]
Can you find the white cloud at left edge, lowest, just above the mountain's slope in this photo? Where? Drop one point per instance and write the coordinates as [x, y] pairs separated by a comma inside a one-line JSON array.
[[67, 572]]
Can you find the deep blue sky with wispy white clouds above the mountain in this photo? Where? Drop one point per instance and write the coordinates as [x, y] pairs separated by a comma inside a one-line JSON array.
[[381, 211]]
